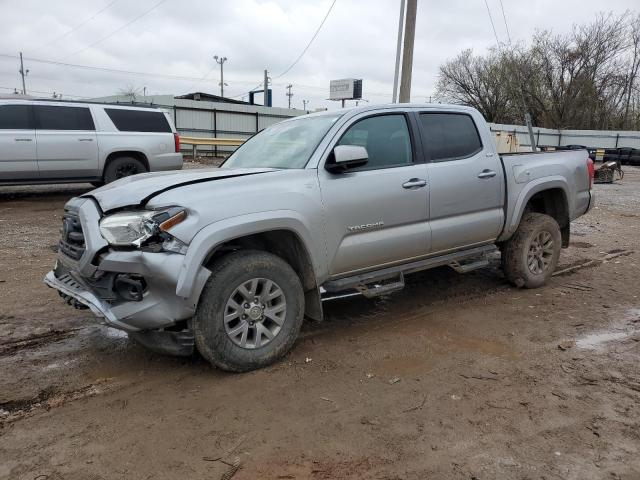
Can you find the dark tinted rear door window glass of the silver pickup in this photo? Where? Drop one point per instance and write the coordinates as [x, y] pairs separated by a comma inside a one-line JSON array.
[[450, 135]]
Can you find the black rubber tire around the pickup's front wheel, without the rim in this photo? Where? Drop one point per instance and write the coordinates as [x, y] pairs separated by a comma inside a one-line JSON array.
[[227, 275]]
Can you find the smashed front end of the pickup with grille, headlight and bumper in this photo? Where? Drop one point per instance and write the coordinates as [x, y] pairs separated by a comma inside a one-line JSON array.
[[125, 267]]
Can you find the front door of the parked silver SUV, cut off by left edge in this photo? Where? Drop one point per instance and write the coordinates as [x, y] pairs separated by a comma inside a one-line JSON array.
[[17, 143]]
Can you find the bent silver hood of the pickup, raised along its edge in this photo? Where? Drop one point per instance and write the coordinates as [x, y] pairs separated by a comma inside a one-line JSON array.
[[139, 189]]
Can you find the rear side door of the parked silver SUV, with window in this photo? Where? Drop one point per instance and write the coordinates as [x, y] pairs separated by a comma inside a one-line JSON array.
[[67, 142]]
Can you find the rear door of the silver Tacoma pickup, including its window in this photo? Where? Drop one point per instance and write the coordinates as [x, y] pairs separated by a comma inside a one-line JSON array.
[[466, 181]]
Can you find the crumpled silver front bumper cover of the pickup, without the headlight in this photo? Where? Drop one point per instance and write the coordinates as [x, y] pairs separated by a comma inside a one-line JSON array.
[[89, 280]]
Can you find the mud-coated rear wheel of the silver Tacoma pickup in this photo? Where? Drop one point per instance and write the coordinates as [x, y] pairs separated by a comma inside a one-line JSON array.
[[516, 260]]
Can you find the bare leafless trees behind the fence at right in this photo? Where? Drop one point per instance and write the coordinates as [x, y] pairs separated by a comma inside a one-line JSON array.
[[588, 78]]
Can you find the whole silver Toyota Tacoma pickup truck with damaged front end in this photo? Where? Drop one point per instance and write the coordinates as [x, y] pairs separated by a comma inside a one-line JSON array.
[[230, 260]]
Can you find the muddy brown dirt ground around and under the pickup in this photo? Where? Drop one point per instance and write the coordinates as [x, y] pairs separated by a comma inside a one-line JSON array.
[[455, 377]]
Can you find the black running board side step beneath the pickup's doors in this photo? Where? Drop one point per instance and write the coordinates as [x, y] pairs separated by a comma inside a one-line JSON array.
[[390, 279]]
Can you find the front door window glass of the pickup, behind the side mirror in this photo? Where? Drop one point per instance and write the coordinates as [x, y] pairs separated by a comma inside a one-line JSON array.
[[386, 138]]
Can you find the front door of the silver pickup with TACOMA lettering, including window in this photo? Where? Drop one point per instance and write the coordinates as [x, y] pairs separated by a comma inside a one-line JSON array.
[[377, 215]]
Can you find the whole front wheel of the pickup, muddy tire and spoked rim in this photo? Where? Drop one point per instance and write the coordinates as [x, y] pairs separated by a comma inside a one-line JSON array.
[[250, 311]]
